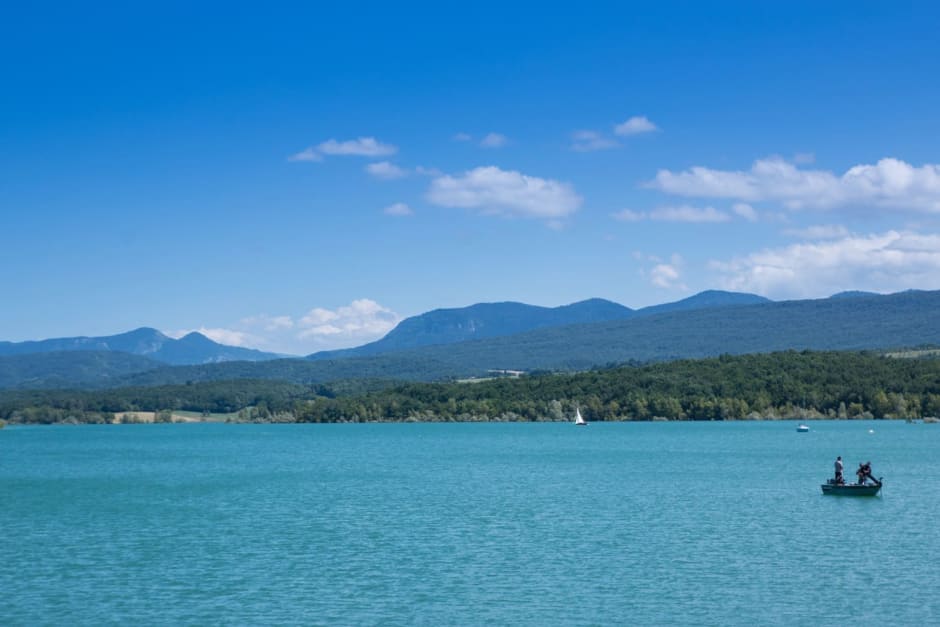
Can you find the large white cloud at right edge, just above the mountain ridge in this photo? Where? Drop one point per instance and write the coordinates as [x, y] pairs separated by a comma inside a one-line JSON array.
[[886, 262]]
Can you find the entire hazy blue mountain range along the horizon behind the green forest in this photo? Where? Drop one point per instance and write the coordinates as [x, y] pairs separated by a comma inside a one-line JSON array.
[[471, 341]]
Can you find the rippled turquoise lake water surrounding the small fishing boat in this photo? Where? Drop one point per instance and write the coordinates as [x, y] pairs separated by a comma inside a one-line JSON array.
[[439, 524]]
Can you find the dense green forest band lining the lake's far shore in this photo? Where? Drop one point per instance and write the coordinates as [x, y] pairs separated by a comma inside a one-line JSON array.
[[778, 385]]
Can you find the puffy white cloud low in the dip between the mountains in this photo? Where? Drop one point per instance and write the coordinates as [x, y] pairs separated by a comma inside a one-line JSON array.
[[361, 321]]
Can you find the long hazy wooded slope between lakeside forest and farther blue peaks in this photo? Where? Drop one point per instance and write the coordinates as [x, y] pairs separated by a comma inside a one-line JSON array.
[[906, 319]]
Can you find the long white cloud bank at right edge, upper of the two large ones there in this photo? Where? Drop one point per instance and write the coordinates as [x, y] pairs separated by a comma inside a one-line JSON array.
[[890, 183]]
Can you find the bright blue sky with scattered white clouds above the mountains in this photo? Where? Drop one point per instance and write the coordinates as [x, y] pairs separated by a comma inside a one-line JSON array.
[[295, 178]]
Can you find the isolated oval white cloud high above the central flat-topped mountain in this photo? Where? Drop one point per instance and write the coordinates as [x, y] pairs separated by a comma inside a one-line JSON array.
[[505, 192]]
